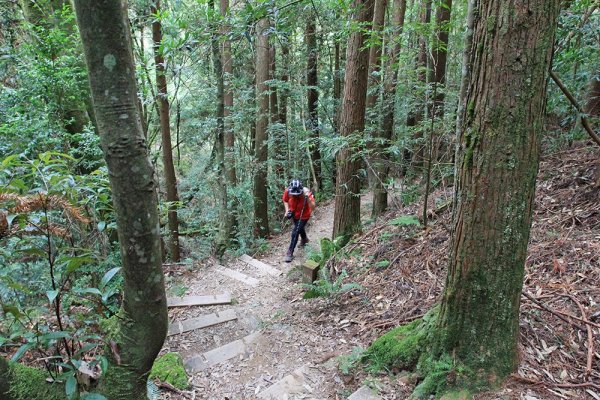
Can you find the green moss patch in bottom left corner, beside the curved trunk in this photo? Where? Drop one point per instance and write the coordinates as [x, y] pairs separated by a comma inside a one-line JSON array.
[[27, 383]]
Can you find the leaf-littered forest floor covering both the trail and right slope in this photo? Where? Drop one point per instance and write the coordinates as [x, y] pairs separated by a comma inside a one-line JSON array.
[[402, 269]]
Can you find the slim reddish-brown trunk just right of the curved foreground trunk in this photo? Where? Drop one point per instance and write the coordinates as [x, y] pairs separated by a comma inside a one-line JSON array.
[[165, 129]]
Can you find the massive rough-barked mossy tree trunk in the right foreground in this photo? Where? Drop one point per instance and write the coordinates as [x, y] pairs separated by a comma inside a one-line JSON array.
[[498, 158]]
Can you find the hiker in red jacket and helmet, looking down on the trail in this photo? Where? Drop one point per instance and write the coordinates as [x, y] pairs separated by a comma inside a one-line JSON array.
[[299, 203]]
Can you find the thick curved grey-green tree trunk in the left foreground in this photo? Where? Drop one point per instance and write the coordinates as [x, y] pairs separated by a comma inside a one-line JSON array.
[[142, 328]]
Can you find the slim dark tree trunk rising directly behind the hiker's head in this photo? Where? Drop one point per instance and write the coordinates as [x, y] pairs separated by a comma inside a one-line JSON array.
[[312, 95]]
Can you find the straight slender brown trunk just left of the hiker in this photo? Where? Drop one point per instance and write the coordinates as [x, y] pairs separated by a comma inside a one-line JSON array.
[[261, 219]]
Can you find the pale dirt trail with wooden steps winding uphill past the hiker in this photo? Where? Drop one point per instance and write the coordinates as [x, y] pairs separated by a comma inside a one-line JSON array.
[[276, 333]]
